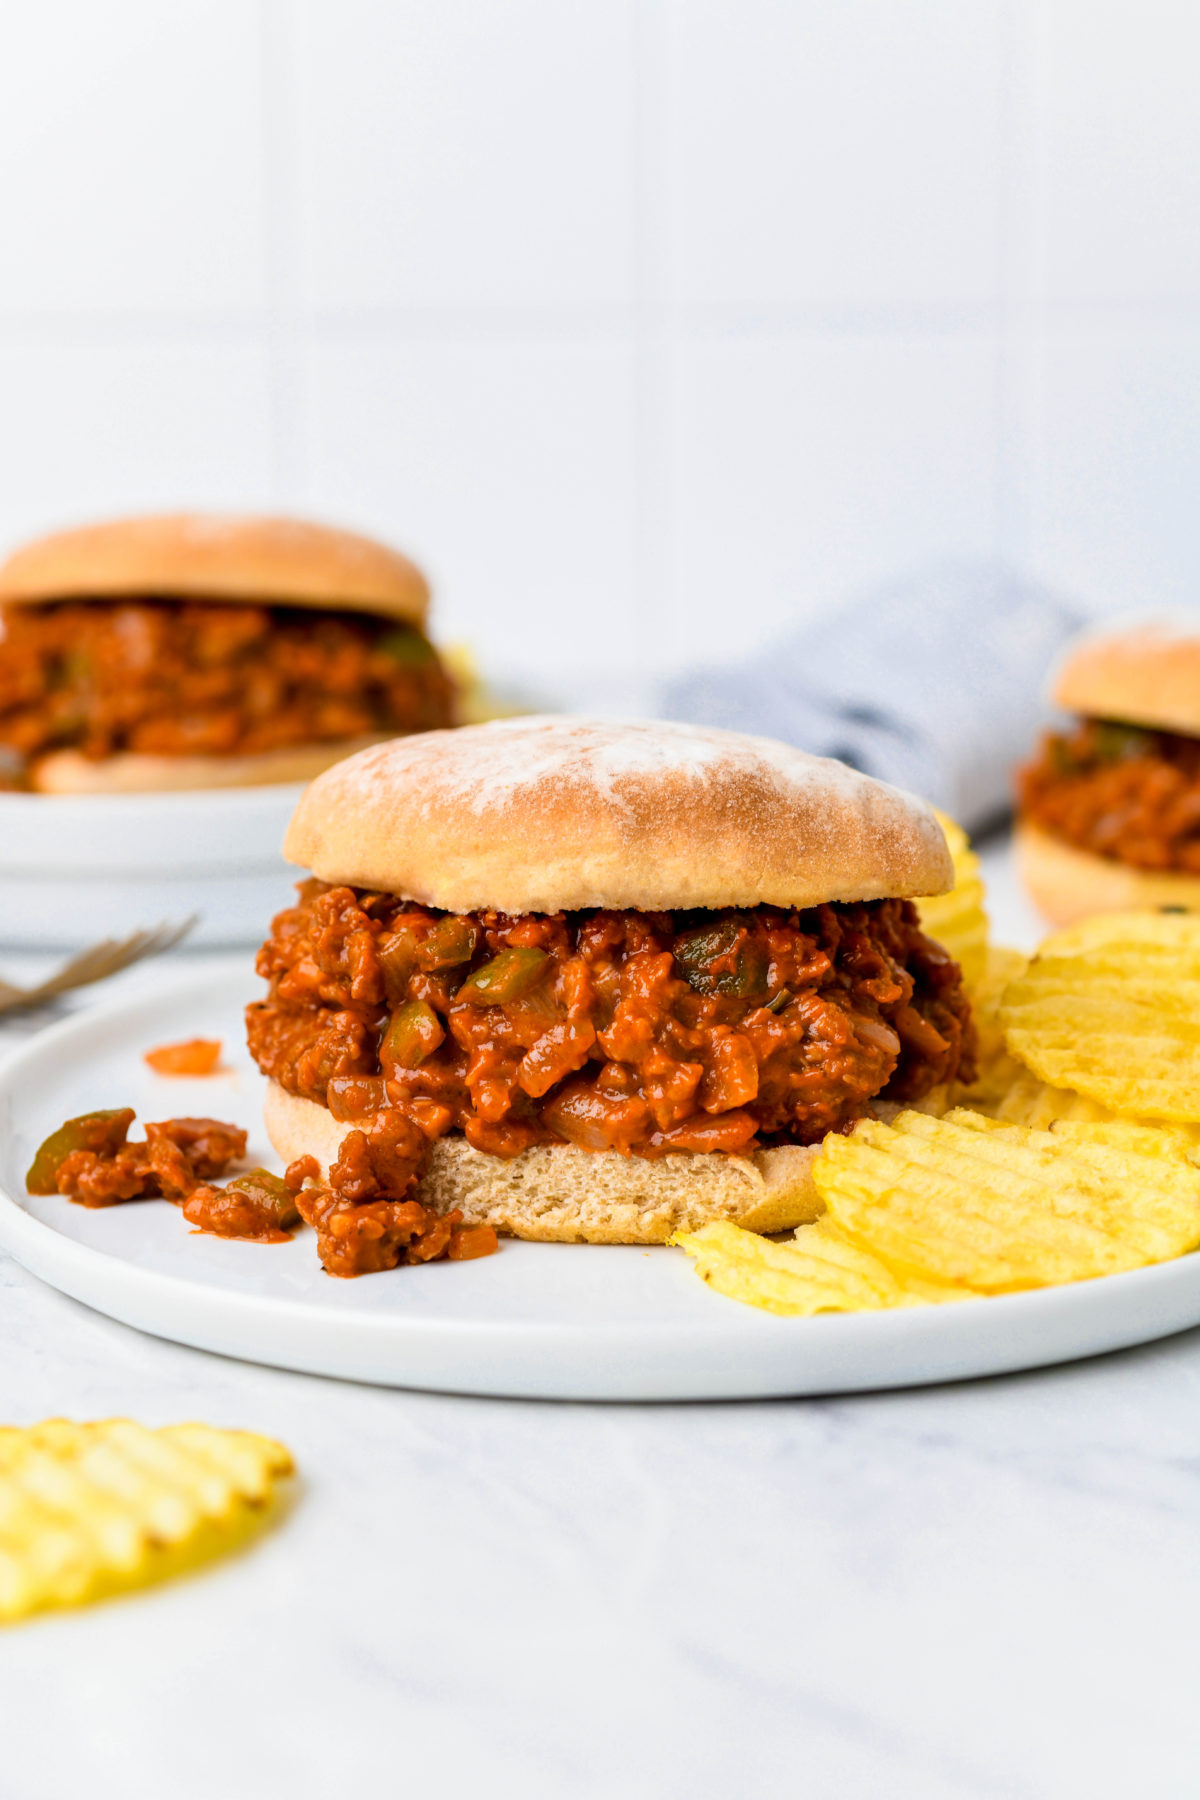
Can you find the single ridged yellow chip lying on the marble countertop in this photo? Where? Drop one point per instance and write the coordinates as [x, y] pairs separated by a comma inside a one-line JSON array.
[[96, 1509]]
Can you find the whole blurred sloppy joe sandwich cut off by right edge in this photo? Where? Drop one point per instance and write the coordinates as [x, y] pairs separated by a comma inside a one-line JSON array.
[[1111, 805]]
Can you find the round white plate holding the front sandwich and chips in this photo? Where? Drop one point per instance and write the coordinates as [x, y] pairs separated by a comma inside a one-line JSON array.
[[542, 1320]]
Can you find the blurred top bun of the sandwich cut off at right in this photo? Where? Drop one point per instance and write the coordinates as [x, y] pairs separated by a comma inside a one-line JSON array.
[[1145, 674]]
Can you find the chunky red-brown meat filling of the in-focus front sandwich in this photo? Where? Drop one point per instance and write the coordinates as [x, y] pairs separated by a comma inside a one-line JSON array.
[[611, 1030]]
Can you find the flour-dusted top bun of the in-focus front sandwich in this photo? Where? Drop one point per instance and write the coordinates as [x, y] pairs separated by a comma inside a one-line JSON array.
[[557, 814]]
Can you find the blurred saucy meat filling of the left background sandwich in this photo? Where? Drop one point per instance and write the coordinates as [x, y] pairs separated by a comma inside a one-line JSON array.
[[208, 679]]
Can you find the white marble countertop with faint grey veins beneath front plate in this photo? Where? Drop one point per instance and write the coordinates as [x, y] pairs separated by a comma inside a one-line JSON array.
[[981, 1590]]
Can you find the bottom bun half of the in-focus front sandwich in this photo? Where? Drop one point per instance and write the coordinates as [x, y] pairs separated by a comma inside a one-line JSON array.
[[557, 1194]]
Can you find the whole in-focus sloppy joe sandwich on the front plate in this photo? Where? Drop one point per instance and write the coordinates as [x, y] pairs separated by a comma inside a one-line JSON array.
[[600, 982]]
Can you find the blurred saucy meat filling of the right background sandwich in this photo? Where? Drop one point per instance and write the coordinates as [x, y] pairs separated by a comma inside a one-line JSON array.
[[1122, 793]]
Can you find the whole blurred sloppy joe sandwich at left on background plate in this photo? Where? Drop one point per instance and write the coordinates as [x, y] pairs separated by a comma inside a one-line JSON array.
[[193, 652]]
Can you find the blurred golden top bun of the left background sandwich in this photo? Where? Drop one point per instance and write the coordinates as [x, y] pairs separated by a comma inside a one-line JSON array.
[[211, 557]]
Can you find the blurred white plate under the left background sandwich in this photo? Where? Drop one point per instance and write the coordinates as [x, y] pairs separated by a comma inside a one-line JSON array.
[[139, 859]]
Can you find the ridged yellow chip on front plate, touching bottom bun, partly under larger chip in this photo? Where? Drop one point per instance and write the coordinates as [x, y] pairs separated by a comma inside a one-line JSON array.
[[816, 1272]]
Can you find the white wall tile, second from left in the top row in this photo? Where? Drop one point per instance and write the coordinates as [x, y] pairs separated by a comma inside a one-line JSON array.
[[465, 154]]
